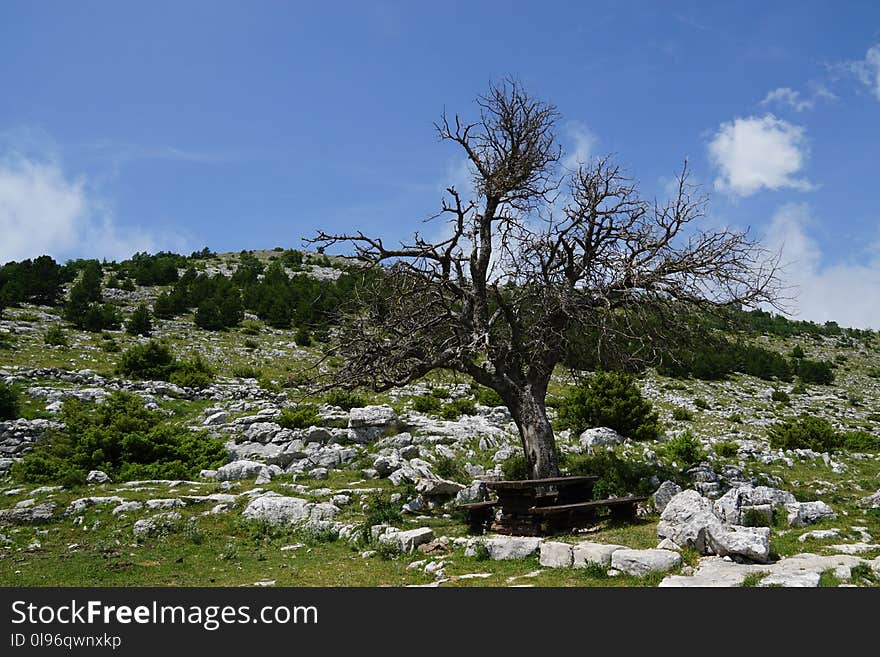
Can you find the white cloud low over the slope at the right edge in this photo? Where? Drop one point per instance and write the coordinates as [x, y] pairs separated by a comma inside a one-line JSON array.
[[844, 292]]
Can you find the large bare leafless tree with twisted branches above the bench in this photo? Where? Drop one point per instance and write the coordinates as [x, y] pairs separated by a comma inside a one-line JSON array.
[[535, 258]]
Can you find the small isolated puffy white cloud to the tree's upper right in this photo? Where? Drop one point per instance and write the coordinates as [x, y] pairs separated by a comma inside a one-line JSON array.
[[756, 153]]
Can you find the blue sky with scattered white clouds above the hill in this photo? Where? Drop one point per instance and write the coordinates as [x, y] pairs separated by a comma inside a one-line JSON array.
[[130, 126]]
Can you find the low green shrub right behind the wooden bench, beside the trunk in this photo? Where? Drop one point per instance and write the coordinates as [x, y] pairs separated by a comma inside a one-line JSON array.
[[616, 477]]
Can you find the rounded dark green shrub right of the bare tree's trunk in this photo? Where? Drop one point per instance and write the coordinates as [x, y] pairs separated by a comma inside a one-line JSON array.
[[610, 400]]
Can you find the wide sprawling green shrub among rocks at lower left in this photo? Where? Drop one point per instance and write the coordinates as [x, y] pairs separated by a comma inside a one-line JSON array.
[[122, 438]]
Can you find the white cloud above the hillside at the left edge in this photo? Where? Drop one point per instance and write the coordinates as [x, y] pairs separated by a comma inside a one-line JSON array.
[[45, 211]]
